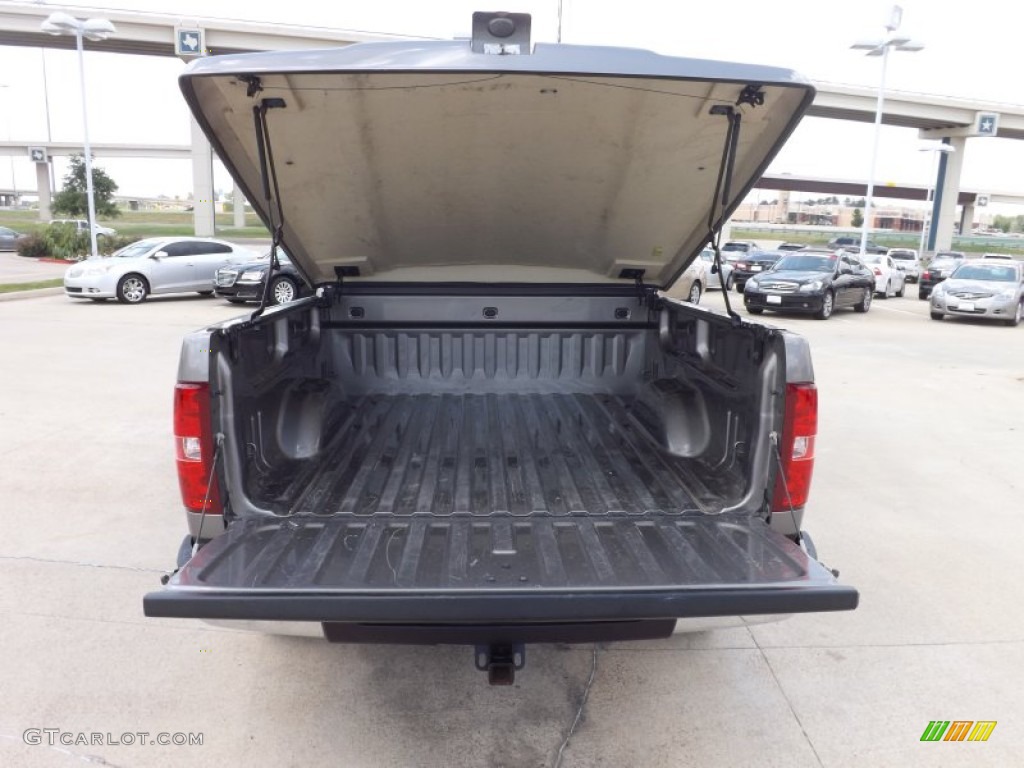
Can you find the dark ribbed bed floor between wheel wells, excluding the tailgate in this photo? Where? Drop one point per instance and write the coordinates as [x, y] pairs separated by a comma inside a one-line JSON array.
[[494, 455]]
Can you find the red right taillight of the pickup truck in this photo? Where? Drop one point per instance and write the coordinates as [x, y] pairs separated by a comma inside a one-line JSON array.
[[800, 428]]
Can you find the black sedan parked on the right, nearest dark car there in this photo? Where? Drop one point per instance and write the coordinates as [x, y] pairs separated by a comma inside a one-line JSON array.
[[817, 283]]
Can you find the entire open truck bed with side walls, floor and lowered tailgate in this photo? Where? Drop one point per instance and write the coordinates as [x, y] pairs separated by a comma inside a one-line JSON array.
[[454, 477]]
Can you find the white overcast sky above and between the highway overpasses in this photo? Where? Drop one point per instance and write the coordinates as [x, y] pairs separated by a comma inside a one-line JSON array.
[[973, 51]]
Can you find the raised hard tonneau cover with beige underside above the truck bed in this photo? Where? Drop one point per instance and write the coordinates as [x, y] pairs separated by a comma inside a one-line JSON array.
[[420, 161]]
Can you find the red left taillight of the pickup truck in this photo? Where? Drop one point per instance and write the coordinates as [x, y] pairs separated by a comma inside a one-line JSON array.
[[194, 448]]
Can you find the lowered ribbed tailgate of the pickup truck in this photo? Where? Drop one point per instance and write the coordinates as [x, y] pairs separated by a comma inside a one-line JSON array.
[[470, 571]]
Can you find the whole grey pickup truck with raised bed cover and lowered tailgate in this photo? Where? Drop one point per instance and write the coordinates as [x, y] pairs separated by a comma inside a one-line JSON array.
[[491, 425]]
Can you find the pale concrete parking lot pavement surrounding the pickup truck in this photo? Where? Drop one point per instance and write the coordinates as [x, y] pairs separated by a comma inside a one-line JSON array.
[[918, 500]]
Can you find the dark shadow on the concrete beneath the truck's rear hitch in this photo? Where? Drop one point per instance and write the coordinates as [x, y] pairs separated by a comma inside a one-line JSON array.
[[403, 706]]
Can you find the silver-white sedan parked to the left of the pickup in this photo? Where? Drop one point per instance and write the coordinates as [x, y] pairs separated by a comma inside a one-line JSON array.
[[155, 266]]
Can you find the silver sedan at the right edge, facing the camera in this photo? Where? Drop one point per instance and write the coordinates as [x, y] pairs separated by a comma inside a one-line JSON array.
[[991, 290]]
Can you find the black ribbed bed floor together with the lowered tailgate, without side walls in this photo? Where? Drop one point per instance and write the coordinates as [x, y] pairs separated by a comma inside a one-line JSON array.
[[507, 508]]
